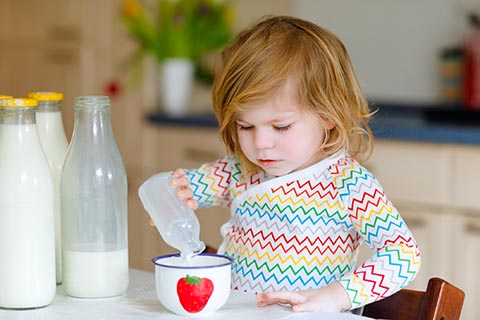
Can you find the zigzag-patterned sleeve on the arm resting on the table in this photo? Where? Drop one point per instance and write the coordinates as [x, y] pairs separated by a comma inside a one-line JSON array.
[[396, 258]]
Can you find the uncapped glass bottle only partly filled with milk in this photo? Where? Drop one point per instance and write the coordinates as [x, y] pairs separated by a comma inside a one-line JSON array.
[[94, 206]]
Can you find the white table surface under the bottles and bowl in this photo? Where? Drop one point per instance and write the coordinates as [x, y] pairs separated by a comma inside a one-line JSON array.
[[140, 302]]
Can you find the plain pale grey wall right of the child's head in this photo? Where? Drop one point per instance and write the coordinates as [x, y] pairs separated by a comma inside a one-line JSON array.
[[393, 45]]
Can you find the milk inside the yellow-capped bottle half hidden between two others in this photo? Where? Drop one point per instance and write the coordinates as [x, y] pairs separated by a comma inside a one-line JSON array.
[[54, 142]]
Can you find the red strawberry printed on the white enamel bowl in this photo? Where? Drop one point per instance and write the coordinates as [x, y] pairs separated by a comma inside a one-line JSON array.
[[194, 292]]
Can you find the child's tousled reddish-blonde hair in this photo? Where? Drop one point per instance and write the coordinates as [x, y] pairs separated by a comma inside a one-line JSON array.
[[262, 57]]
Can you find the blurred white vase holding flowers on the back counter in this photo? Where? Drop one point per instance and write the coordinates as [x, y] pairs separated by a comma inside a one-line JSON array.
[[176, 81]]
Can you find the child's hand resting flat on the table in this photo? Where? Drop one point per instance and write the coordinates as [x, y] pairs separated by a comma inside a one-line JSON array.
[[331, 298]]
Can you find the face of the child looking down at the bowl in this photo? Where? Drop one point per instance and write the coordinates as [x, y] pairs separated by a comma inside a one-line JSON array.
[[279, 135]]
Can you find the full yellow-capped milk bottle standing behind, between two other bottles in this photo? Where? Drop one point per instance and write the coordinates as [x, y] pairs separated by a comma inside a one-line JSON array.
[[54, 143]]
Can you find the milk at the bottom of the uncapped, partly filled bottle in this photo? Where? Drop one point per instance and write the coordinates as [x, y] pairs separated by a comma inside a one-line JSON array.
[[95, 274]]
